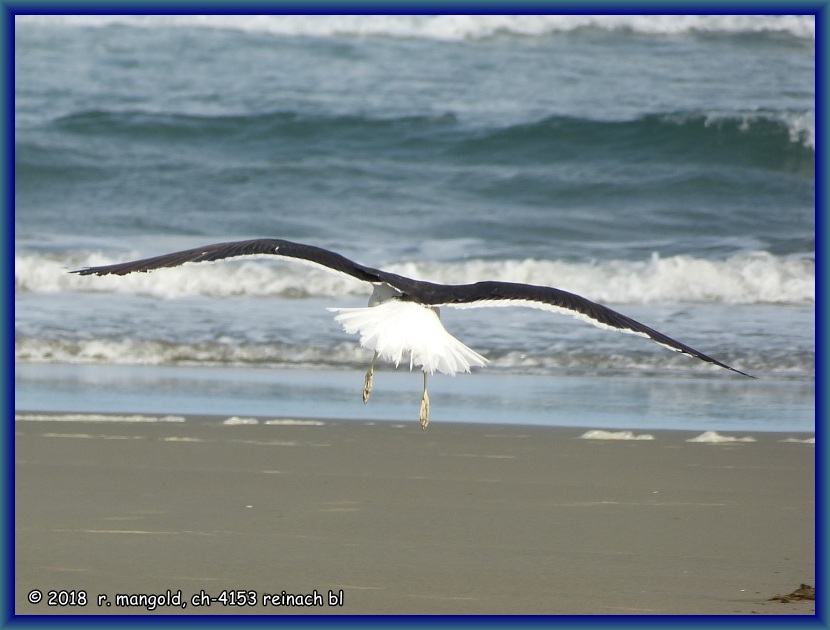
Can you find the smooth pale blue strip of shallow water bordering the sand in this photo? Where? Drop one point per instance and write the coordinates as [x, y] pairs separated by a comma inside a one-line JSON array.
[[730, 404]]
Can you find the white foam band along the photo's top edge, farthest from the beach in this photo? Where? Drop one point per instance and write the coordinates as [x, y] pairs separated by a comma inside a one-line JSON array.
[[449, 27]]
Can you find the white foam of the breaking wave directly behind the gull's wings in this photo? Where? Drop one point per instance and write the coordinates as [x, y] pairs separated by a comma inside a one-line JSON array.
[[748, 278]]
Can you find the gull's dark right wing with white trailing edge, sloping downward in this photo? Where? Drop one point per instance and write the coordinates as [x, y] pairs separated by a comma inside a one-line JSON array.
[[484, 294]]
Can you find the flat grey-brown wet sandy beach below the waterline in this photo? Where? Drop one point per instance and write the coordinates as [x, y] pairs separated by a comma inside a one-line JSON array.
[[381, 518]]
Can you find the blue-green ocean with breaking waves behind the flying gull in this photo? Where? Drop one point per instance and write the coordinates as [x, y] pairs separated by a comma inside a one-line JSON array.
[[661, 165]]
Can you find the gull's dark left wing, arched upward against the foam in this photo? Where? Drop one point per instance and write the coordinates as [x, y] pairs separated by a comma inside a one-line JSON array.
[[271, 246]]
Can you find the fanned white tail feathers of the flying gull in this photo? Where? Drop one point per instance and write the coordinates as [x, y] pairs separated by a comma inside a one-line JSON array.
[[394, 328]]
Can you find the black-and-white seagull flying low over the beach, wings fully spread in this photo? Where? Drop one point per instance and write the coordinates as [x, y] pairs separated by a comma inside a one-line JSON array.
[[402, 319]]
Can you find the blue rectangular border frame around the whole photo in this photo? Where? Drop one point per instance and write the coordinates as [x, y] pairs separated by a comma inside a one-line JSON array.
[[9, 8]]
